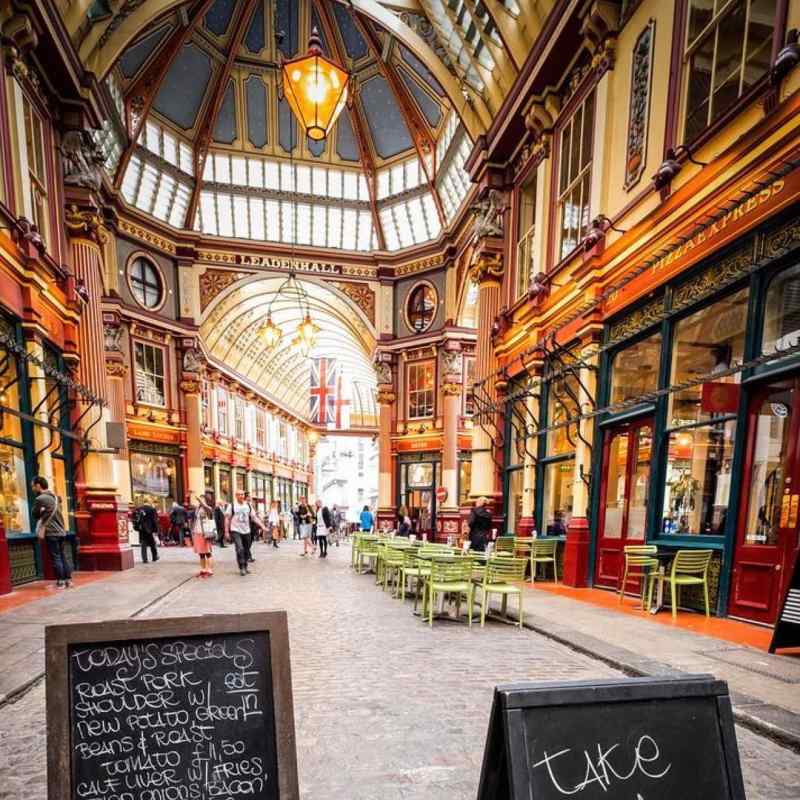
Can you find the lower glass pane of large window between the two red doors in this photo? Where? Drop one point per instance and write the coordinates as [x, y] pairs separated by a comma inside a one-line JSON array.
[[698, 479]]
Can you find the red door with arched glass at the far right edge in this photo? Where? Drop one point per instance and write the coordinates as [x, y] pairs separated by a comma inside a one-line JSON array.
[[767, 531]]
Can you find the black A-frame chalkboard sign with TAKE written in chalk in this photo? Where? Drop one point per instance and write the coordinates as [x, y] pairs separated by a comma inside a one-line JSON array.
[[632, 739]]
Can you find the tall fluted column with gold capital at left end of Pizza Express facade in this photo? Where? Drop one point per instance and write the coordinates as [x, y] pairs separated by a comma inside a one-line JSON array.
[[488, 275]]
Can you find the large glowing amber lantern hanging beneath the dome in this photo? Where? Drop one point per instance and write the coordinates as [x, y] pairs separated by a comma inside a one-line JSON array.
[[315, 88]]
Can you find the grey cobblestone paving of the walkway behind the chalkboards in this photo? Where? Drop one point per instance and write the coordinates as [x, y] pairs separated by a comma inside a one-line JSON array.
[[384, 707]]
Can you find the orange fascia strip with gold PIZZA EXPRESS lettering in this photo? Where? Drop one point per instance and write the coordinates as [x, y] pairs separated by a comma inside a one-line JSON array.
[[741, 218]]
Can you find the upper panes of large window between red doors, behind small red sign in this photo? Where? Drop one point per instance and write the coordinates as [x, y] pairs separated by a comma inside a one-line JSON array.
[[704, 345]]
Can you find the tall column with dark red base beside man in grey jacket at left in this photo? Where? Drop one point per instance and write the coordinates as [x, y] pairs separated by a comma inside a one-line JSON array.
[[101, 516]]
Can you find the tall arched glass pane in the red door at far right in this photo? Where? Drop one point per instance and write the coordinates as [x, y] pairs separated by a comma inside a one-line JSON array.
[[768, 473]]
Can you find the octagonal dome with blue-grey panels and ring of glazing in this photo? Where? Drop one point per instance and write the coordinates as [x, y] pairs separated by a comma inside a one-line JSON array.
[[218, 151]]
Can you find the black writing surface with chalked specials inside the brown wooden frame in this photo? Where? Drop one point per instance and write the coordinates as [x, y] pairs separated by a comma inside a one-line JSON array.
[[188, 718]]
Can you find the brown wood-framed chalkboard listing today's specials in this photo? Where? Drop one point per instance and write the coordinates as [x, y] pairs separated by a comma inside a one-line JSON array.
[[171, 709]]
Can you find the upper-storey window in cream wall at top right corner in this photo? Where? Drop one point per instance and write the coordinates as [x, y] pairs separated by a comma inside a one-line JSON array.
[[728, 50]]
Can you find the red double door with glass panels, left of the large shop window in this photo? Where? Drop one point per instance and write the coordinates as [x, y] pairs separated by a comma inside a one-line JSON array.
[[624, 495]]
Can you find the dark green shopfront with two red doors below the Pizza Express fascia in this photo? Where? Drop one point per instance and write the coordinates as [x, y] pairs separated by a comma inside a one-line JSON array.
[[700, 443]]
